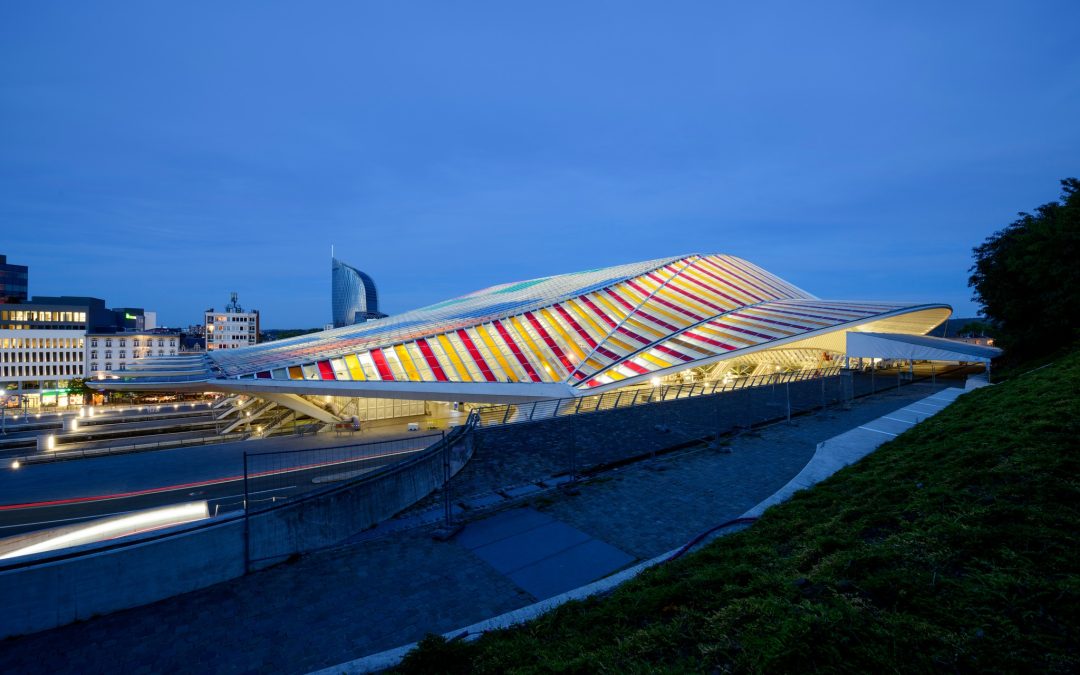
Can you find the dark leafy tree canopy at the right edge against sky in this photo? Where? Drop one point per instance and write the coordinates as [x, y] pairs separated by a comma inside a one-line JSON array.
[[1027, 277]]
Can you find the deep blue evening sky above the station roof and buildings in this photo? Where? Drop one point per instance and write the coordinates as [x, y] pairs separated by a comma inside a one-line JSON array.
[[165, 154]]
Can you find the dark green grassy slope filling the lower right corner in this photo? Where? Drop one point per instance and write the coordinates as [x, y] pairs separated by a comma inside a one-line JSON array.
[[952, 548]]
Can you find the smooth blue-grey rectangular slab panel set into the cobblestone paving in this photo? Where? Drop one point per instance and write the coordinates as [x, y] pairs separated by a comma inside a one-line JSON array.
[[541, 555]]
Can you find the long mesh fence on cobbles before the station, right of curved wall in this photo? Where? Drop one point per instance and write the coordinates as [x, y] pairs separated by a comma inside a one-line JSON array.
[[578, 437]]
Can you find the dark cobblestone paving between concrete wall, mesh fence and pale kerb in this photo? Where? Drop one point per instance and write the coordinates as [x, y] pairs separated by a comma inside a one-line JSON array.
[[339, 605]]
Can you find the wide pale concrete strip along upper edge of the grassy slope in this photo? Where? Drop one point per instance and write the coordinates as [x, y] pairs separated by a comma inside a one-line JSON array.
[[852, 447]]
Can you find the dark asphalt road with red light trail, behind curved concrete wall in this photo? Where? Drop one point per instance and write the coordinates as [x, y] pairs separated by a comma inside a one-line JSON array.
[[42, 496]]
